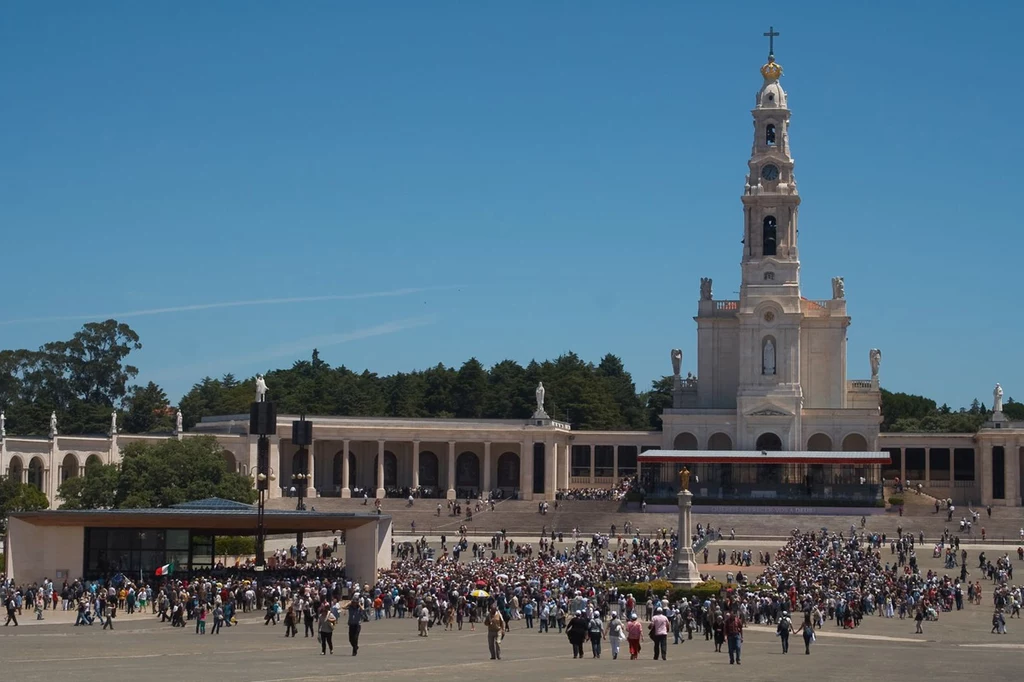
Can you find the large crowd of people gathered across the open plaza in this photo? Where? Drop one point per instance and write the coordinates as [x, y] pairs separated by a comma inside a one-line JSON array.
[[574, 588]]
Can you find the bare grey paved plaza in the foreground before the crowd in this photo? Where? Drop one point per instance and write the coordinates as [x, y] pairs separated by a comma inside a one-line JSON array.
[[141, 648]]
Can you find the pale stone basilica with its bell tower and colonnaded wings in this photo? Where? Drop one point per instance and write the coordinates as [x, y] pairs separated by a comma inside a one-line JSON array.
[[772, 381]]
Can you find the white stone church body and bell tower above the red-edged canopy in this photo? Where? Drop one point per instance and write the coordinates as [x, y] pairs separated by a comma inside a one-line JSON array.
[[773, 363]]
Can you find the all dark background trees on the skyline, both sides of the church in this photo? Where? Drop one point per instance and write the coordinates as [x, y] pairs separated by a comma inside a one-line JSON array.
[[88, 377]]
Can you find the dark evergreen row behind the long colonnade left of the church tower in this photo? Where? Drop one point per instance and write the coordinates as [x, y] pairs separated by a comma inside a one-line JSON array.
[[588, 396]]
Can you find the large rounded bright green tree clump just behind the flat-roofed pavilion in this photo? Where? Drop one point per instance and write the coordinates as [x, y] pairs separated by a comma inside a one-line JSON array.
[[158, 475]]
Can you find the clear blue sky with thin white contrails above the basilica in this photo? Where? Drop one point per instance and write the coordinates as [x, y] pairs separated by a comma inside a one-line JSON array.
[[501, 181]]
